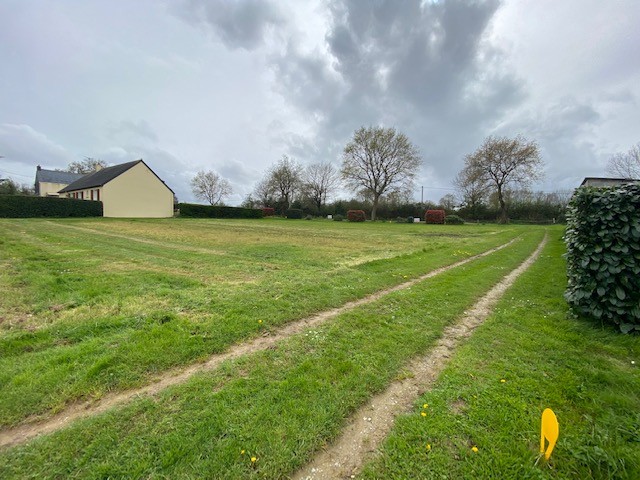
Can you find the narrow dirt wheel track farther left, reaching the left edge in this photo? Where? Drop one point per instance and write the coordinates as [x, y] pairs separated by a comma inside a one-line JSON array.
[[24, 432]]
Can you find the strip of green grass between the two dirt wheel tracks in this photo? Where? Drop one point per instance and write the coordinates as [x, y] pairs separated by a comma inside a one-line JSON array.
[[278, 406]]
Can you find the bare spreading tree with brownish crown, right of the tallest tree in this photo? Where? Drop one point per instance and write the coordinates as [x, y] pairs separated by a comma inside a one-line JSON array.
[[501, 162]]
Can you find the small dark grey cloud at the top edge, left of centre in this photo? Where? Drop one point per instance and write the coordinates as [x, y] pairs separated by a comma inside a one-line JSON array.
[[242, 24]]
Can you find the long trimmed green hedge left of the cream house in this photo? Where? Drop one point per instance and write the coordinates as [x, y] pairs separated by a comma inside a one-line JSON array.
[[21, 206]]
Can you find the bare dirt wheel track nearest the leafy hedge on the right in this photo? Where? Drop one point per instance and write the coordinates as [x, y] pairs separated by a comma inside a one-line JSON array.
[[370, 425]]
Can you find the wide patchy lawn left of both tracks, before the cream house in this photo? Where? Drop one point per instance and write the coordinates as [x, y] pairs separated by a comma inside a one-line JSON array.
[[99, 305]]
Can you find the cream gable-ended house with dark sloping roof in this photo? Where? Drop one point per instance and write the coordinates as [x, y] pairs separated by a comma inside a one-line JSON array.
[[130, 190]]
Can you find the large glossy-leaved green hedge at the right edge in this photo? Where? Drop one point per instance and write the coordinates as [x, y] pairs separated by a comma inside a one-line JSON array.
[[603, 254]]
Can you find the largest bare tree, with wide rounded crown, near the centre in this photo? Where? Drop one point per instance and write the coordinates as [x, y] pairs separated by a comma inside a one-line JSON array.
[[379, 160]]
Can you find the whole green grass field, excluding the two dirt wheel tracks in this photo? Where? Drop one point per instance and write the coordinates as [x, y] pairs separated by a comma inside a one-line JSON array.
[[97, 306]]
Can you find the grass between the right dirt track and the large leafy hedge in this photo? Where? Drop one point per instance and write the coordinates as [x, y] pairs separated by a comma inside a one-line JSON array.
[[547, 358]]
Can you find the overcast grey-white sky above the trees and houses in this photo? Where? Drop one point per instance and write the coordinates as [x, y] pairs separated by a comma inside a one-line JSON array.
[[232, 86]]
